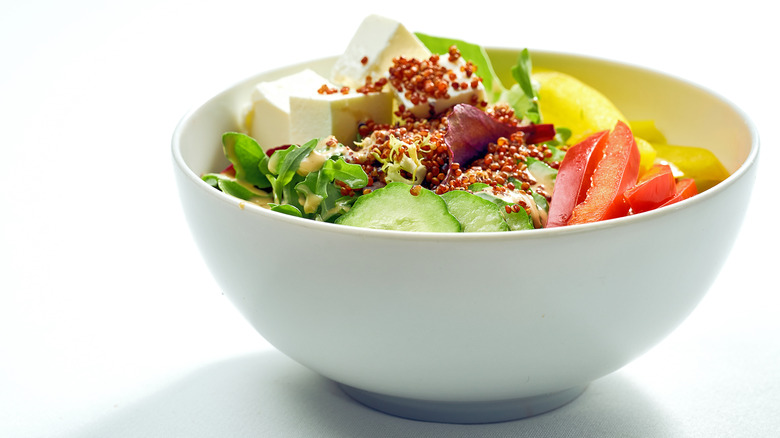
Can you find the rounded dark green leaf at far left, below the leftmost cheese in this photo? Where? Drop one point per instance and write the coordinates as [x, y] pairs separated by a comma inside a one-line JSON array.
[[247, 157]]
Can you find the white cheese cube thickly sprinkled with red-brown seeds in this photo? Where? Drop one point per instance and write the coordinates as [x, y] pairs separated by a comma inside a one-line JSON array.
[[460, 89]]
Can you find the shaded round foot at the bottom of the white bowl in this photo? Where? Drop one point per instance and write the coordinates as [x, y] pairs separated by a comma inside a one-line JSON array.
[[464, 412]]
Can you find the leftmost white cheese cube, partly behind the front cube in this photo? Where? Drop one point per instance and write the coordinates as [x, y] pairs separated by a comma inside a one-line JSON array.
[[268, 120]]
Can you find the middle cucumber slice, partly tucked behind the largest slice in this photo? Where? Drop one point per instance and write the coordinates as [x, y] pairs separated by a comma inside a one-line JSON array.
[[475, 214]]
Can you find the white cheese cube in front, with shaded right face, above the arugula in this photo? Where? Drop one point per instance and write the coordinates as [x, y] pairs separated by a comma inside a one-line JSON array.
[[319, 115]]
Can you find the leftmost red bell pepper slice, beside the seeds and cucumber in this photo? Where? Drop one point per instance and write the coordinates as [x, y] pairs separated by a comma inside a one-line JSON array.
[[573, 180]]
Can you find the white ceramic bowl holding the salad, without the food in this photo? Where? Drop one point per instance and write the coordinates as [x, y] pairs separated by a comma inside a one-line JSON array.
[[474, 327]]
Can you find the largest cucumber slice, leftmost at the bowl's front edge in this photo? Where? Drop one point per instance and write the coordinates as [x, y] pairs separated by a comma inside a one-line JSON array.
[[393, 207]]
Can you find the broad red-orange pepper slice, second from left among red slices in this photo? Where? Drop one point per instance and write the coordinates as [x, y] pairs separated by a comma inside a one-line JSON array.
[[617, 171]]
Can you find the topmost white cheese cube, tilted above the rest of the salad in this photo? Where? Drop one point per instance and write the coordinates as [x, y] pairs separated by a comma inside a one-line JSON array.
[[372, 49]]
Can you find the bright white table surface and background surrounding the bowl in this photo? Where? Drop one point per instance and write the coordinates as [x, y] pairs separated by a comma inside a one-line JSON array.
[[110, 325]]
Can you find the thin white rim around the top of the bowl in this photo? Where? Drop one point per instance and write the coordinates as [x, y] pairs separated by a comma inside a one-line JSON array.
[[542, 233]]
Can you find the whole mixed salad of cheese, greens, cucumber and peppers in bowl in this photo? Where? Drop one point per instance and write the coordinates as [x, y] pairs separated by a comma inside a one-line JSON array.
[[415, 132]]
